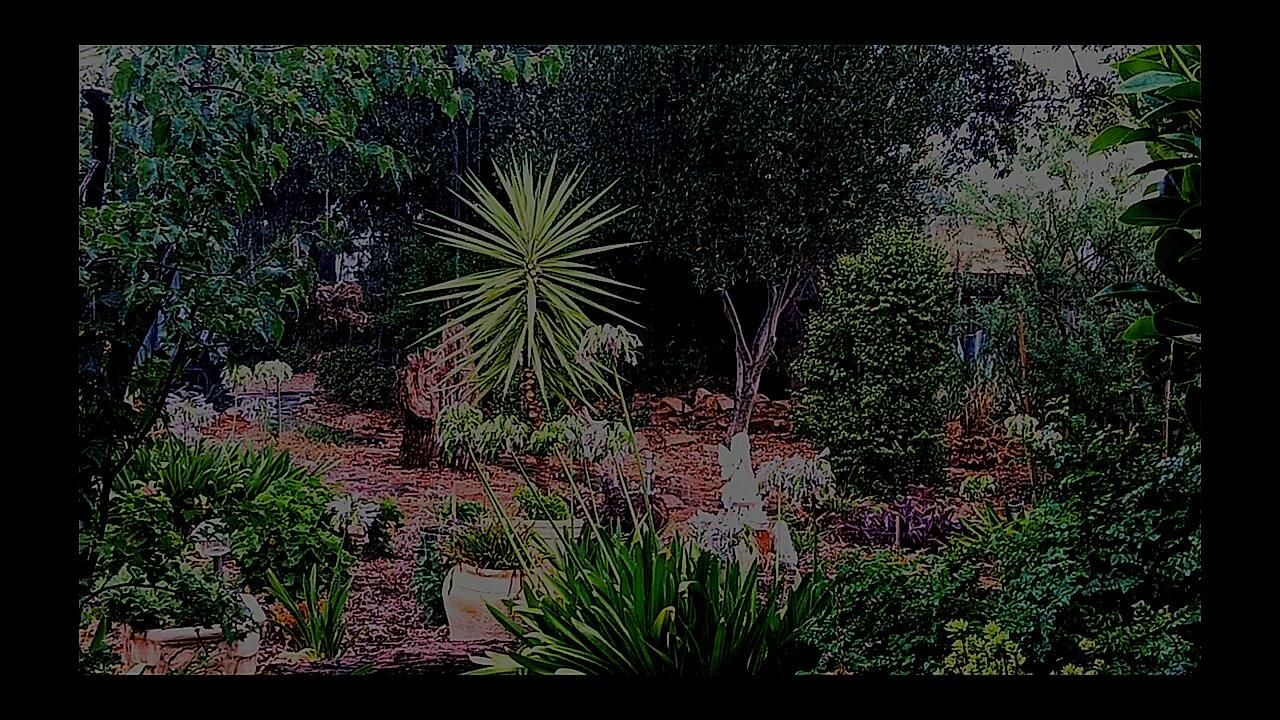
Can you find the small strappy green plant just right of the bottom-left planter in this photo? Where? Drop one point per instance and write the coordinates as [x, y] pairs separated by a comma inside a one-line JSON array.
[[316, 622]]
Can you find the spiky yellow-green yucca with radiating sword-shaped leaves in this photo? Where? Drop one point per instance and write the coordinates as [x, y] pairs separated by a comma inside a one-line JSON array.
[[529, 312]]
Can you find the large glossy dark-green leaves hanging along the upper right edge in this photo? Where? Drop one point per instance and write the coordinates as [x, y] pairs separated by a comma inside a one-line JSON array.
[[1162, 92]]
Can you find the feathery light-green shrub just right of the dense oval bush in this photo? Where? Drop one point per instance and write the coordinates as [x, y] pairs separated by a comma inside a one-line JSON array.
[[1066, 244]]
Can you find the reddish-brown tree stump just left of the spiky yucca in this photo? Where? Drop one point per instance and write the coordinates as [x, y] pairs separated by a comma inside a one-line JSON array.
[[432, 381]]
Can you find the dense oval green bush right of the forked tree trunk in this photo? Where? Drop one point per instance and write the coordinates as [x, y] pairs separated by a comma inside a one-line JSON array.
[[876, 358]]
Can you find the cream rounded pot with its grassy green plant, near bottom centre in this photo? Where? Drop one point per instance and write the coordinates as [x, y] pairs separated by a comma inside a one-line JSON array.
[[486, 573]]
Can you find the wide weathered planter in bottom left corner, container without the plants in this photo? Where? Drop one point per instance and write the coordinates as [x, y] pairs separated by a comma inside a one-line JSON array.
[[175, 649]]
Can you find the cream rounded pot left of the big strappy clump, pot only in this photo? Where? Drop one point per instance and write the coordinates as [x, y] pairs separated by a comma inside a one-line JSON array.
[[469, 591]]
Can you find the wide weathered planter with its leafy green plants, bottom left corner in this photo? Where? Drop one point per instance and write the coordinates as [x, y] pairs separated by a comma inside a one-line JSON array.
[[185, 619]]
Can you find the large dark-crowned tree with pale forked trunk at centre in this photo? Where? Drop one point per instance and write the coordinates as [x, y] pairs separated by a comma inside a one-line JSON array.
[[755, 166]]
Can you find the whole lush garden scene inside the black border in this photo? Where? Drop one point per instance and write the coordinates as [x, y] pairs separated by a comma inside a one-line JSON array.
[[639, 361]]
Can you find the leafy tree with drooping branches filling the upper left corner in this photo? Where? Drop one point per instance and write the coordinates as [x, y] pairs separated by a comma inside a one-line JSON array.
[[185, 154]]
